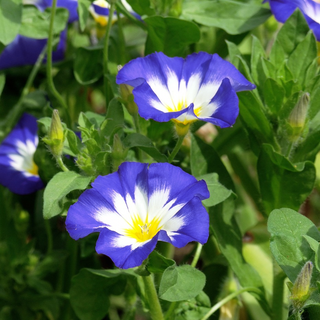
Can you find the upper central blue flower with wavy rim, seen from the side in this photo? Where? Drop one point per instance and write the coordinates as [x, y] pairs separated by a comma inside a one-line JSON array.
[[202, 86]]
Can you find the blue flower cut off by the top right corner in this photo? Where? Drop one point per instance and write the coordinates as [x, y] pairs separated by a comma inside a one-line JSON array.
[[283, 9]]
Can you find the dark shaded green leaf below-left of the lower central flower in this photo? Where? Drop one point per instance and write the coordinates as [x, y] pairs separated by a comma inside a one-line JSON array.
[[90, 290]]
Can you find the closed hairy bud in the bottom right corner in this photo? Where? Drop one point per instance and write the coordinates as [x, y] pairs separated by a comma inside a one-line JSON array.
[[301, 288]]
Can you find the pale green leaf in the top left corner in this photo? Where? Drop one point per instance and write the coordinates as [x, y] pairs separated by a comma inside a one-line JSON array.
[[10, 20]]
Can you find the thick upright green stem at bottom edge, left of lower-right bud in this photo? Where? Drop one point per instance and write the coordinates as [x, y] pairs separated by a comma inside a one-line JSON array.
[[278, 290]]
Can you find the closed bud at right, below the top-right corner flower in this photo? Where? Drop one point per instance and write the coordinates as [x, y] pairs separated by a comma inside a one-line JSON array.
[[298, 116]]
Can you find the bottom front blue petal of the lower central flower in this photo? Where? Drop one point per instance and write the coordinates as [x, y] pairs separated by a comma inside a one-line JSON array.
[[124, 257]]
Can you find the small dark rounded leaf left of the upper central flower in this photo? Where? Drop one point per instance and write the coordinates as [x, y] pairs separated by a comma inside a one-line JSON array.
[[88, 65]]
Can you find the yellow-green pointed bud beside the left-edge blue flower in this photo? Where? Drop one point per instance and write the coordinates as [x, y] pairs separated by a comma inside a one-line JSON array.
[[55, 136]]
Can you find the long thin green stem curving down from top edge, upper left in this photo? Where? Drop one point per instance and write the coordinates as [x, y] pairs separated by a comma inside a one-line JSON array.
[[51, 85]]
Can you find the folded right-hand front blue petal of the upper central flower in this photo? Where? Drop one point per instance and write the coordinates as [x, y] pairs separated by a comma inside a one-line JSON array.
[[228, 106]]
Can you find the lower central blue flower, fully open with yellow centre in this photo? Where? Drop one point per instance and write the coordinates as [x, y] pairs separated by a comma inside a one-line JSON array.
[[136, 206]]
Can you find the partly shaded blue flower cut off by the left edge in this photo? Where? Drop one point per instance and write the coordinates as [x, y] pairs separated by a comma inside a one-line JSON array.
[[19, 173]]
